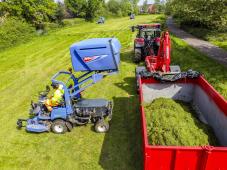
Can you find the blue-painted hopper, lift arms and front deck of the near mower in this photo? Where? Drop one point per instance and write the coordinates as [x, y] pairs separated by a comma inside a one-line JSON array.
[[106, 53]]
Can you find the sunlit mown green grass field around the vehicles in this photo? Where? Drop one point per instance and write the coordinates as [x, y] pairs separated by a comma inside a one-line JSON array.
[[27, 68]]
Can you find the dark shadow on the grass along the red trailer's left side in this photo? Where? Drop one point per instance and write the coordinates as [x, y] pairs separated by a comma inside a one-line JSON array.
[[121, 148]]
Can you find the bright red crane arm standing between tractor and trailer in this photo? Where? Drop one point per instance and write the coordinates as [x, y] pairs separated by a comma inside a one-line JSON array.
[[161, 62]]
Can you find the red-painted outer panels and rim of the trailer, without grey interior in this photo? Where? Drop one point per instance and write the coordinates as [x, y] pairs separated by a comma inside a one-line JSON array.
[[179, 157]]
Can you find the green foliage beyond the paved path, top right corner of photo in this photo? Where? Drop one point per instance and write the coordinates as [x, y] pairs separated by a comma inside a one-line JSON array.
[[204, 13]]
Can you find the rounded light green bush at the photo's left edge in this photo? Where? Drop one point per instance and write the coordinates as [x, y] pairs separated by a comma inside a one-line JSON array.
[[14, 31]]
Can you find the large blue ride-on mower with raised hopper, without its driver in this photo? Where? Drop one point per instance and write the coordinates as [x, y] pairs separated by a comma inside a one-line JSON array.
[[96, 59]]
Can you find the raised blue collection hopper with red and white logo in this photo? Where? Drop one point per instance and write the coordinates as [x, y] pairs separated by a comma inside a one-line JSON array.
[[98, 54]]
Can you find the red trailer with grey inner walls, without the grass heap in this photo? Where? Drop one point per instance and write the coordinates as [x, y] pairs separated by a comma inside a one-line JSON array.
[[213, 108]]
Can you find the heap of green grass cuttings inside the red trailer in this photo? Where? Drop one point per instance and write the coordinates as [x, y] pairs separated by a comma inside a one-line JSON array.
[[174, 123]]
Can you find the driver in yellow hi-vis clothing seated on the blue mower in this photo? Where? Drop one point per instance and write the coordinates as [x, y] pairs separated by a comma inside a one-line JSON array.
[[56, 98]]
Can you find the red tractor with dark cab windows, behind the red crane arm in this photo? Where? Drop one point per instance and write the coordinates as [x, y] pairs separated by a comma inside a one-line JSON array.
[[147, 41]]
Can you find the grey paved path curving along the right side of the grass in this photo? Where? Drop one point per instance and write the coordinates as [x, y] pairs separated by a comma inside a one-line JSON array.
[[209, 49]]
